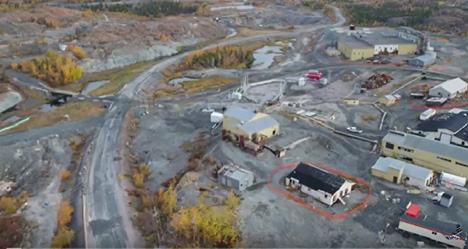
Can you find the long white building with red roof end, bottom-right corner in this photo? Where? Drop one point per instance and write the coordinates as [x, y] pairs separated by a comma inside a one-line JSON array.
[[412, 222]]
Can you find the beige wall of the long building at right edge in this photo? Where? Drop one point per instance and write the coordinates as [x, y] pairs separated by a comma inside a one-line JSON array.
[[426, 159]]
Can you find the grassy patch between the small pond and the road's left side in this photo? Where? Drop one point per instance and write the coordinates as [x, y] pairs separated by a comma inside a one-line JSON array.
[[119, 79]]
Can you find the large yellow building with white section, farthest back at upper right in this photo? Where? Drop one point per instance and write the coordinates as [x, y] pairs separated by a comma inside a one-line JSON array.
[[360, 46]]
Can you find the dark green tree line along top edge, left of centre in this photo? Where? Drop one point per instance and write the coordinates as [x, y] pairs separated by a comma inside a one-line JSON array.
[[150, 9]]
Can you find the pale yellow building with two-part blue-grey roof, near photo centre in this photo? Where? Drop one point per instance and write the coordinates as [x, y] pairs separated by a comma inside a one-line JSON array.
[[241, 122]]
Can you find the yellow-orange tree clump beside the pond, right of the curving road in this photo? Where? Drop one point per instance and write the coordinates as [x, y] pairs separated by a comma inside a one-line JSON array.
[[231, 56]]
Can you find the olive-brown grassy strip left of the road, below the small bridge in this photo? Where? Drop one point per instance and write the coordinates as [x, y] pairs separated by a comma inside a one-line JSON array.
[[76, 111]]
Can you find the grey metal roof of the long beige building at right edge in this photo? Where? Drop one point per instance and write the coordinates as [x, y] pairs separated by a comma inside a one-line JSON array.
[[429, 145]]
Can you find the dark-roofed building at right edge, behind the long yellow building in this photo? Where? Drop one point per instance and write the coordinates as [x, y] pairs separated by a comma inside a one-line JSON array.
[[454, 124]]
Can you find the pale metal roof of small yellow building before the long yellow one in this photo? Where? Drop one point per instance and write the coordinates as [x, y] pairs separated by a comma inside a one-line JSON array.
[[383, 163]]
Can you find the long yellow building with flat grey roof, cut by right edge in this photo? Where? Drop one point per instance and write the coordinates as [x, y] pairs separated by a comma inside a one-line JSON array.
[[437, 155]]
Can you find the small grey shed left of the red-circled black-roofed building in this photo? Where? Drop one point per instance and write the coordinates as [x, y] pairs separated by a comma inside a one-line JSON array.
[[235, 177]]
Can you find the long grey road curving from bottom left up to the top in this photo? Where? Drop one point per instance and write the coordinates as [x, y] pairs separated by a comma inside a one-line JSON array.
[[109, 223]]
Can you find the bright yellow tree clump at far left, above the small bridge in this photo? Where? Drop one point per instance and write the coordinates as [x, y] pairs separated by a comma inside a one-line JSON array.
[[54, 68]]
